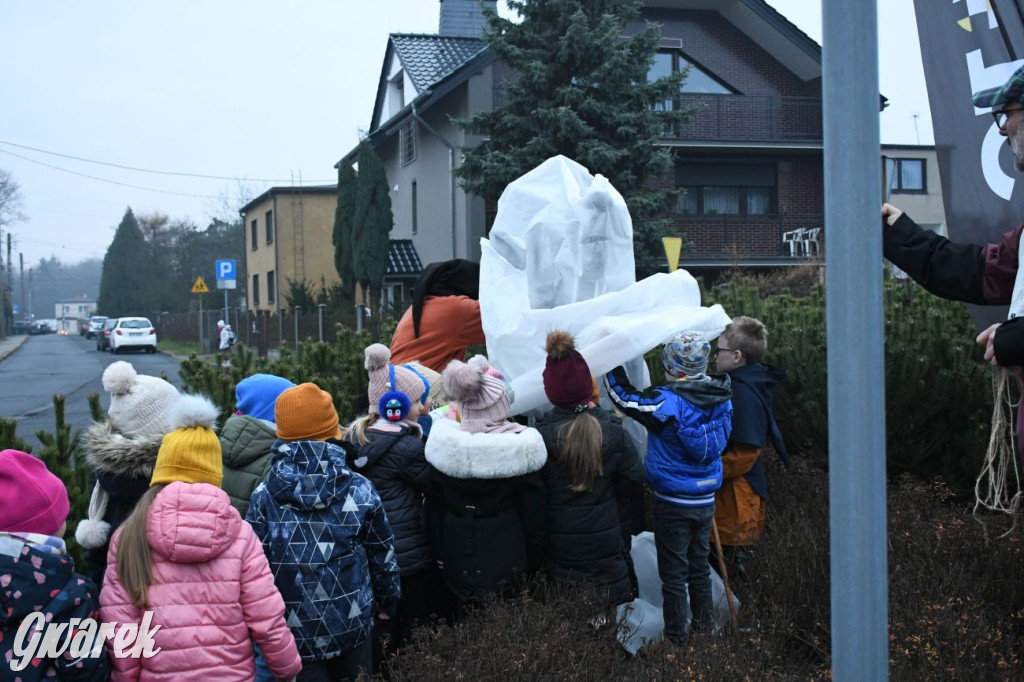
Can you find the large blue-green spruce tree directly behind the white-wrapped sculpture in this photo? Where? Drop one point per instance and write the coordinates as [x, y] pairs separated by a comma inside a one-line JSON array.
[[581, 91]]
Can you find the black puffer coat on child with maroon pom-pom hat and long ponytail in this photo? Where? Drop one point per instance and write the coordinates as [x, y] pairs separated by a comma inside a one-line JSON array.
[[587, 540]]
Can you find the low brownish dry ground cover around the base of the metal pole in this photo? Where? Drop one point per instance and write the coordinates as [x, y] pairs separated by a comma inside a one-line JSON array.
[[957, 608]]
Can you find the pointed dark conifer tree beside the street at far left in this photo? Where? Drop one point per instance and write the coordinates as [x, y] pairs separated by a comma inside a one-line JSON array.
[[125, 285]]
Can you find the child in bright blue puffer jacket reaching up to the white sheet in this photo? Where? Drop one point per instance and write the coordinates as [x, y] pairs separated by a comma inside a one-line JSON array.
[[690, 421]]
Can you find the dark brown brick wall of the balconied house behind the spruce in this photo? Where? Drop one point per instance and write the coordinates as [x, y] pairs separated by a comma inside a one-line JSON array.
[[777, 106]]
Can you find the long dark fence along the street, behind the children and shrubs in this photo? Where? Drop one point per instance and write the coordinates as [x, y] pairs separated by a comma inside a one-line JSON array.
[[265, 332]]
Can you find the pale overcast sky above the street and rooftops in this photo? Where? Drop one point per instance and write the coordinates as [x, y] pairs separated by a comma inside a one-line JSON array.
[[268, 92]]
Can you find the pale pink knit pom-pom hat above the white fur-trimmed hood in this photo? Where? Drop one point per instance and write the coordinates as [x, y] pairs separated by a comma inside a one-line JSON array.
[[484, 399]]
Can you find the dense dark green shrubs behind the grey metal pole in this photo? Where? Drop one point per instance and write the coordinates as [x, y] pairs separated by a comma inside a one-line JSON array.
[[938, 395]]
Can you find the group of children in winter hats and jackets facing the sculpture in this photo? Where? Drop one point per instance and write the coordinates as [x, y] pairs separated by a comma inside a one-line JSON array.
[[290, 547]]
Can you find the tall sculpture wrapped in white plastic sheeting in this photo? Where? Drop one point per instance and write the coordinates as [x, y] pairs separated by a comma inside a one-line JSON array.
[[561, 257]]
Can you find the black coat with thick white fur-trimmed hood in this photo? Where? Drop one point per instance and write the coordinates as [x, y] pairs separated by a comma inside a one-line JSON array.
[[493, 508]]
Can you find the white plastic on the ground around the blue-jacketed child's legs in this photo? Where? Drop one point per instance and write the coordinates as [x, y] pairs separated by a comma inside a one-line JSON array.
[[644, 620]]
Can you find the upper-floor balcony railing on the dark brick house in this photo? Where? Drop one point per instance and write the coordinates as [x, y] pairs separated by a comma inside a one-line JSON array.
[[750, 118]]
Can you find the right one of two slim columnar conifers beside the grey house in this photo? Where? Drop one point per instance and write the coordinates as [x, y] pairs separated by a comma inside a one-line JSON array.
[[372, 225]]
